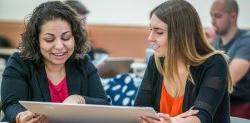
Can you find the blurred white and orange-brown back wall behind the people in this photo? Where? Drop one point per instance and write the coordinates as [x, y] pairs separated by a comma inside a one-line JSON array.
[[117, 26]]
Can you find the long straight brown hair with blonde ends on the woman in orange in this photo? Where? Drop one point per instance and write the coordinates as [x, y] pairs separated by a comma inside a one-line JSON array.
[[186, 40]]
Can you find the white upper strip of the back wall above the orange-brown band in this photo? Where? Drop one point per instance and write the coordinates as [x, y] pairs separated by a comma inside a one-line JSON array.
[[117, 12]]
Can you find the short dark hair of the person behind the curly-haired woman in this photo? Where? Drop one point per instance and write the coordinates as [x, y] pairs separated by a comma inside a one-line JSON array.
[[77, 6]]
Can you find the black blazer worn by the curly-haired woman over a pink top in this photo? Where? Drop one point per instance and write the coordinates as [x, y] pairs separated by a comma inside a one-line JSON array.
[[27, 80]]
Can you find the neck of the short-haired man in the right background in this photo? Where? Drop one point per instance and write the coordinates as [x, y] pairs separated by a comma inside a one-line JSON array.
[[229, 35]]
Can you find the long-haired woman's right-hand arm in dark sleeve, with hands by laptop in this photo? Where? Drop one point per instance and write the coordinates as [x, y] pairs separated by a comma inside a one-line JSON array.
[[212, 90]]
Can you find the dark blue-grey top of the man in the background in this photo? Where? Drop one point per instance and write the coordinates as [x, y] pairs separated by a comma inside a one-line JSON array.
[[238, 47]]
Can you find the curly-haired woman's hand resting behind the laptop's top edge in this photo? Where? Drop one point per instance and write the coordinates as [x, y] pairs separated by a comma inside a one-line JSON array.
[[75, 99]]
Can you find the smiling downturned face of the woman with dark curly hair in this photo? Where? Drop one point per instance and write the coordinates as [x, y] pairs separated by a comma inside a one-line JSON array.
[[56, 42]]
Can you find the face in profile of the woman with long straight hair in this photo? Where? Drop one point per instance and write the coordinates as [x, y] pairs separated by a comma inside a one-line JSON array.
[[158, 36]]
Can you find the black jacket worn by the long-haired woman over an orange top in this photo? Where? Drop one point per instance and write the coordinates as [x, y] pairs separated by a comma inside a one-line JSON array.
[[209, 93]]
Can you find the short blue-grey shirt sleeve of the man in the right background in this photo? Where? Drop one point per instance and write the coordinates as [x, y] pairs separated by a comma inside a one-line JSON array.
[[243, 49]]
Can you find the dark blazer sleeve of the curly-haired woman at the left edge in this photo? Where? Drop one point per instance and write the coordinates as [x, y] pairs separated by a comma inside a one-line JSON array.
[[14, 88]]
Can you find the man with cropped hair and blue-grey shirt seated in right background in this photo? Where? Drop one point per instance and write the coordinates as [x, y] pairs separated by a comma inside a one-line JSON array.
[[236, 43]]
